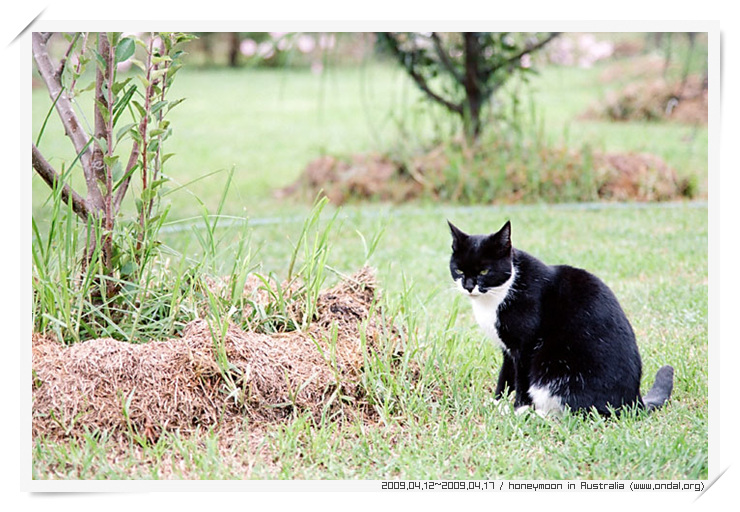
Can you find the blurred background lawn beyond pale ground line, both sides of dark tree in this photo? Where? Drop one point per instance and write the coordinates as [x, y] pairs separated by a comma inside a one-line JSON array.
[[267, 124]]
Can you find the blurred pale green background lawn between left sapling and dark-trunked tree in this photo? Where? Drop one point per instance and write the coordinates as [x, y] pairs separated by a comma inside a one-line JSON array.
[[265, 124]]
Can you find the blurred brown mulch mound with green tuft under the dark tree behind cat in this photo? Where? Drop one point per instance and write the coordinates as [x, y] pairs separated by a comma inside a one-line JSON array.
[[440, 174]]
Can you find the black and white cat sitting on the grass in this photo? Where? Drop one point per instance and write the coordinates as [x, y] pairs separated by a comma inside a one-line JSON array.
[[567, 343]]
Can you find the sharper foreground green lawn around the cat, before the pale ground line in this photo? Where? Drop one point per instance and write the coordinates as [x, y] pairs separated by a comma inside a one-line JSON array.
[[654, 258]]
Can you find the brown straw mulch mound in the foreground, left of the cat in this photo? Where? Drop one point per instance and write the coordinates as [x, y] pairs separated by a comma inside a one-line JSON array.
[[176, 384]]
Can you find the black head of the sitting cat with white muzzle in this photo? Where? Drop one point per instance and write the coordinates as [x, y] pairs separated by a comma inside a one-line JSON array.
[[481, 263]]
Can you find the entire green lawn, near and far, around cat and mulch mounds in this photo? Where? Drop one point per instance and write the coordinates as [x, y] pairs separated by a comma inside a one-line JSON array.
[[266, 125]]
